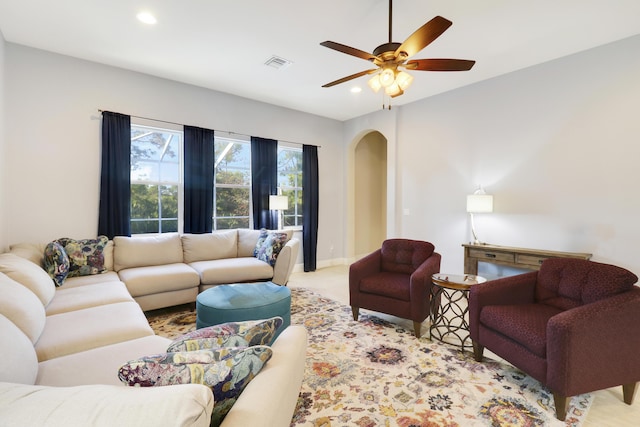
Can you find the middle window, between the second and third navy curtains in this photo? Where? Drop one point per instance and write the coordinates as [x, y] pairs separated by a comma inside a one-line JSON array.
[[232, 186]]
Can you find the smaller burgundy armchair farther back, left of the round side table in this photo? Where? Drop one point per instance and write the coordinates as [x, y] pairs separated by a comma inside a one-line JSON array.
[[396, 280]]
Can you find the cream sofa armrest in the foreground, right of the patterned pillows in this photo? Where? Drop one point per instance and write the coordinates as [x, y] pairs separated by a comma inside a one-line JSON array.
[[270, 398]]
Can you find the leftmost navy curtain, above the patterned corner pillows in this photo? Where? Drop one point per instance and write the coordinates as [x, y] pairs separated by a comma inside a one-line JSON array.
[[114, 213]]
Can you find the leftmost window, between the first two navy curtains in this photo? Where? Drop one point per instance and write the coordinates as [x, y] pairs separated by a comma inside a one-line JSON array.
[[156, 157]]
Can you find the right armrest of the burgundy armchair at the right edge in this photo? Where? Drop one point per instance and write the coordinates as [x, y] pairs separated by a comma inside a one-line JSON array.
[[595, 346]]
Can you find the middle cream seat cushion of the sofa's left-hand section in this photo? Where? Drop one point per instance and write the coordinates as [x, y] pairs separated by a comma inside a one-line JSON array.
[[102, 325]]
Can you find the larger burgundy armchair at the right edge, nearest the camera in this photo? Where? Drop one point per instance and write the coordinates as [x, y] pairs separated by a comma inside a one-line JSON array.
[[574, 325]]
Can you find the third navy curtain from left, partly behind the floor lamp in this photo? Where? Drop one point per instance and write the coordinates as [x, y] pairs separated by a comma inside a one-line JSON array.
[[264, 181]]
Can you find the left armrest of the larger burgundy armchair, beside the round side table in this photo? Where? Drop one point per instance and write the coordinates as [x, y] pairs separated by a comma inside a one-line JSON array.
[[518, 289]]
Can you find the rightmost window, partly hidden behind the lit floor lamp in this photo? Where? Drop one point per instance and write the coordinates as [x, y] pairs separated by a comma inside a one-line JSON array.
[[290, 182]]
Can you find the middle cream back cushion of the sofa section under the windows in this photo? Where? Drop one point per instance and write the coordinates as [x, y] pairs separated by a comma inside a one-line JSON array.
[[216, 245]]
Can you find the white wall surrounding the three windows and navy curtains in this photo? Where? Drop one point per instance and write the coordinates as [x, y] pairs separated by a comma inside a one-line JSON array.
[[53, 134]]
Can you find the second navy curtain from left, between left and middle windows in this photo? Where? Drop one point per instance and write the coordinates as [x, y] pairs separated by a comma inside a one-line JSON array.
[[199, 161]]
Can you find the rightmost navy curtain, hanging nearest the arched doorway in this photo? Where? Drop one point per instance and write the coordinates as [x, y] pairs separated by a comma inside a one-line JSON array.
[[310, 189]]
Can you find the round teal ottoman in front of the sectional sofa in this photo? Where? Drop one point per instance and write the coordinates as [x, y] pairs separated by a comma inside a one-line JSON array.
[[243, 301]]
